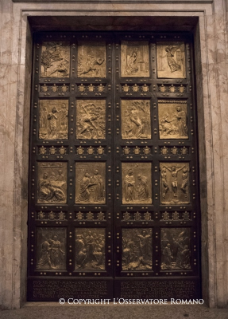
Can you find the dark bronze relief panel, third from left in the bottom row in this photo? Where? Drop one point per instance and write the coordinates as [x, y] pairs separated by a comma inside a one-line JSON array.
[[137, 249]]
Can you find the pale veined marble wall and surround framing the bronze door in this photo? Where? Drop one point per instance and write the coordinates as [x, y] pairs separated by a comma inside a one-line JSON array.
[[211, 82]]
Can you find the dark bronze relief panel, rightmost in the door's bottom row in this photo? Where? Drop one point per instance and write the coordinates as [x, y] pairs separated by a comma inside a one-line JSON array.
[[175, 247]]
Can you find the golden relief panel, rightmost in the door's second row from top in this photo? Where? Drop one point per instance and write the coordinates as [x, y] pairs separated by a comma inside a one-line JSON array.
[[172, 120]]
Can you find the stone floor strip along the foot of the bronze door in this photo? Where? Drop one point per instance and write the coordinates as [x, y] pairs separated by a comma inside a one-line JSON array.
[[56, 311]]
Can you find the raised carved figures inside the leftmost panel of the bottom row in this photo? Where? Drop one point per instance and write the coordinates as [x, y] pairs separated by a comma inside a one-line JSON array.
[[51, 253]]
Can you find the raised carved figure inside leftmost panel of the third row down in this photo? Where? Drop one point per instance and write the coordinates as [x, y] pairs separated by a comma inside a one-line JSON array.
[[51, 190]]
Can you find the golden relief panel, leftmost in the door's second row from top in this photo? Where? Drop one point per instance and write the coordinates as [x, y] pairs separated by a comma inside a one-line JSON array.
[[53, 119]]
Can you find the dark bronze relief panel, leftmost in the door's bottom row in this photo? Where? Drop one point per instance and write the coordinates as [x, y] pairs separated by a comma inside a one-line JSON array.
[[51, 248]]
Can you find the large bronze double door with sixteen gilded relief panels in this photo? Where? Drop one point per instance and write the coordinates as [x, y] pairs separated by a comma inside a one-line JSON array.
[[114, 200]]
